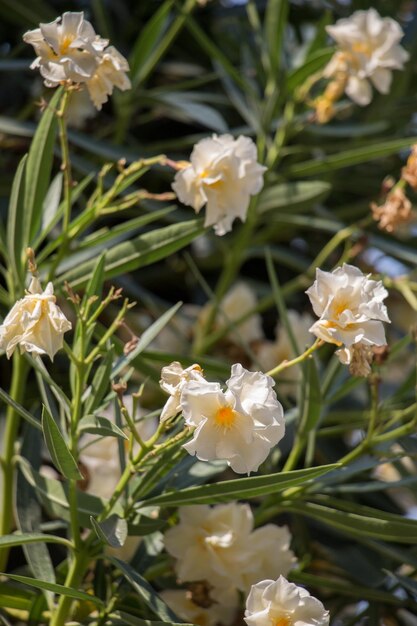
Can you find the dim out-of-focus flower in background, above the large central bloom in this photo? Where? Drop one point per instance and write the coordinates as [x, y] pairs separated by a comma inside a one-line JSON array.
[[238, 301]]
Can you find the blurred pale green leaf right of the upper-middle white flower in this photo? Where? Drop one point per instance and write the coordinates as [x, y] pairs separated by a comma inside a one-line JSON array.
[[293, 196]]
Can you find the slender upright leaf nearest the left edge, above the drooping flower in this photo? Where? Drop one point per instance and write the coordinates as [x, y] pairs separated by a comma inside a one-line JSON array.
[[16, 221]]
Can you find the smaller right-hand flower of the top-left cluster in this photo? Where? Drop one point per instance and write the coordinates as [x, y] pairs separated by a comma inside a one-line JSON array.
[[110, 73]]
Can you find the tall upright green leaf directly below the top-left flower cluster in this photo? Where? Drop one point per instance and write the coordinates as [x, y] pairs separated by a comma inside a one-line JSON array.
[[38, 168]]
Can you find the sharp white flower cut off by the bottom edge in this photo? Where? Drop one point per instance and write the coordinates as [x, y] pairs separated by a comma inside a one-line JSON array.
[[280, 603]]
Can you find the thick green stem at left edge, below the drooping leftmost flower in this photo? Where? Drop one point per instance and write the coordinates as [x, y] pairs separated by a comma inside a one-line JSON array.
[[12, 428]]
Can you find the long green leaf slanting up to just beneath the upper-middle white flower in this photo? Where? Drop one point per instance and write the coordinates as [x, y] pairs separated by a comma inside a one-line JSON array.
[[139, 252]]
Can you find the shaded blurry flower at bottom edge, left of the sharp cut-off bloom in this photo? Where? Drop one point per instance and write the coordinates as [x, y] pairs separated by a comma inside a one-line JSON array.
[[182, 604]]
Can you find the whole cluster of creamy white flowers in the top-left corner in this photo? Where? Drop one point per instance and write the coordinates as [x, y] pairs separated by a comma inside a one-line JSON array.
[[68, 50]]
